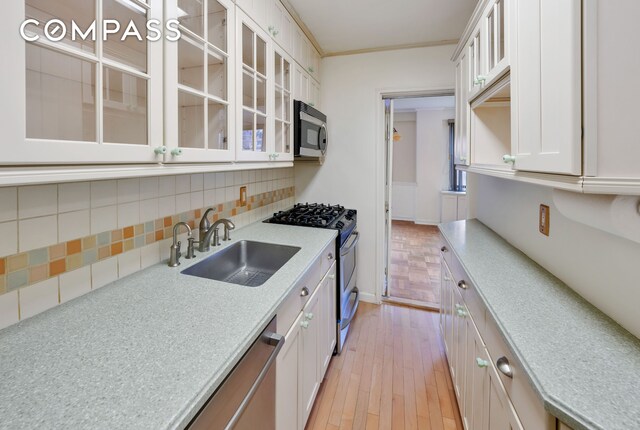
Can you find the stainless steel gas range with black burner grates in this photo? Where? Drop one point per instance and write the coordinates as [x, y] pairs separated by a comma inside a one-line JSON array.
[[345, 221]]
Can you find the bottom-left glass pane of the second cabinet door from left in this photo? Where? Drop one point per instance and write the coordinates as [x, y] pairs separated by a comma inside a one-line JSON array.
[[190, 120]]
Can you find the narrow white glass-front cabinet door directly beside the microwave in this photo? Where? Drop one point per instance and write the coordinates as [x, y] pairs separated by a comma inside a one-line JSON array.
[[283, 107]]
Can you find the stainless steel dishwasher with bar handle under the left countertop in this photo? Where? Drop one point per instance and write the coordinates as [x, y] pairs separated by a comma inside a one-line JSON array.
[[246, 398]]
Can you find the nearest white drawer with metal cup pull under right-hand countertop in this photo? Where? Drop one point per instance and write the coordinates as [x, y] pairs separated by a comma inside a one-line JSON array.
[[528, 406]]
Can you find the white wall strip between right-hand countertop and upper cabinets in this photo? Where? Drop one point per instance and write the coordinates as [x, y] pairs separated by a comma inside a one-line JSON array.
[[599, 266]]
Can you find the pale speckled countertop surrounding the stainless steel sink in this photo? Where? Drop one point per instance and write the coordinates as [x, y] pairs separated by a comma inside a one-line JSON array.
[[145, 352]]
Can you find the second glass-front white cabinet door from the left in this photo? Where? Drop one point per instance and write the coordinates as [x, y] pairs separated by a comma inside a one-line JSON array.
[[199, 82]]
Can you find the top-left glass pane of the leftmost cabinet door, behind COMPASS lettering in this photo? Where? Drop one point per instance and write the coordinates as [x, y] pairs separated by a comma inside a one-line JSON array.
[[82, 12]]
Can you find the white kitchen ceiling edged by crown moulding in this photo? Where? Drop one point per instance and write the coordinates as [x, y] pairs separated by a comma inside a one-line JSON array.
[[341, 26]]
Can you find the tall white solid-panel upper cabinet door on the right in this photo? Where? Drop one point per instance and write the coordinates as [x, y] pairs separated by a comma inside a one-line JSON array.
[[546, 127]]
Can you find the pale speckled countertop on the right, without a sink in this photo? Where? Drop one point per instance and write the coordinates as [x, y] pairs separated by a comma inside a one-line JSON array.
[[584, 366]]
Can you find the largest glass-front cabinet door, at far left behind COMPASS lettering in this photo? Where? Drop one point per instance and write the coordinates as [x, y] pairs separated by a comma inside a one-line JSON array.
[[78, 92]]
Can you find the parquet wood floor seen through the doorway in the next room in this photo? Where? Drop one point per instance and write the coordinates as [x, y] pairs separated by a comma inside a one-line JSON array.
[[415, 262]]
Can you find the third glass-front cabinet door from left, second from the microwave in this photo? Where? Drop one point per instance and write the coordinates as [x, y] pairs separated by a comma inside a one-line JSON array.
[[253, 92]]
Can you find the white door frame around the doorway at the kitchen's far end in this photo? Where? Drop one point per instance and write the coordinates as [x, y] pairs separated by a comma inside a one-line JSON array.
[[381, 166]]
